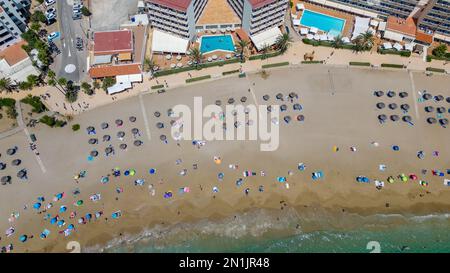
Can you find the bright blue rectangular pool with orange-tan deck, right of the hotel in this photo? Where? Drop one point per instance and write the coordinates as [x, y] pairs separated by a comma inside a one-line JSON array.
[[322, 22]]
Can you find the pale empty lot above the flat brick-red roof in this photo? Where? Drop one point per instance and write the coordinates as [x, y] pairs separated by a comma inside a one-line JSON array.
[[110, 14]]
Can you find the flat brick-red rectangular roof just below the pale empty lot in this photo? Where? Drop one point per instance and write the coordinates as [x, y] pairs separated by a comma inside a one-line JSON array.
[[113, 42]]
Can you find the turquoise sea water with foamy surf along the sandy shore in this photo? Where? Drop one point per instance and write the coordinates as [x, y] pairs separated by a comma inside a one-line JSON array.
[[394, 233]]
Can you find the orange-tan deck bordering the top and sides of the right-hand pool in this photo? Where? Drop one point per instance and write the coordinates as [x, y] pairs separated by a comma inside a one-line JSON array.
[[349, 19]]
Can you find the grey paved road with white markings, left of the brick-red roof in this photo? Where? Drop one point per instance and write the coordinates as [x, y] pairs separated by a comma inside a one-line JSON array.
[[71, 63]]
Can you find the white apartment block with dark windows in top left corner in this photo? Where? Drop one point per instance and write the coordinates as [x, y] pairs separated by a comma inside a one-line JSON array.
[[13, 14]]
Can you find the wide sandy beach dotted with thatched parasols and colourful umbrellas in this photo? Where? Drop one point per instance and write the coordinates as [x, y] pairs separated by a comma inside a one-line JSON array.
[[340, 112]]
